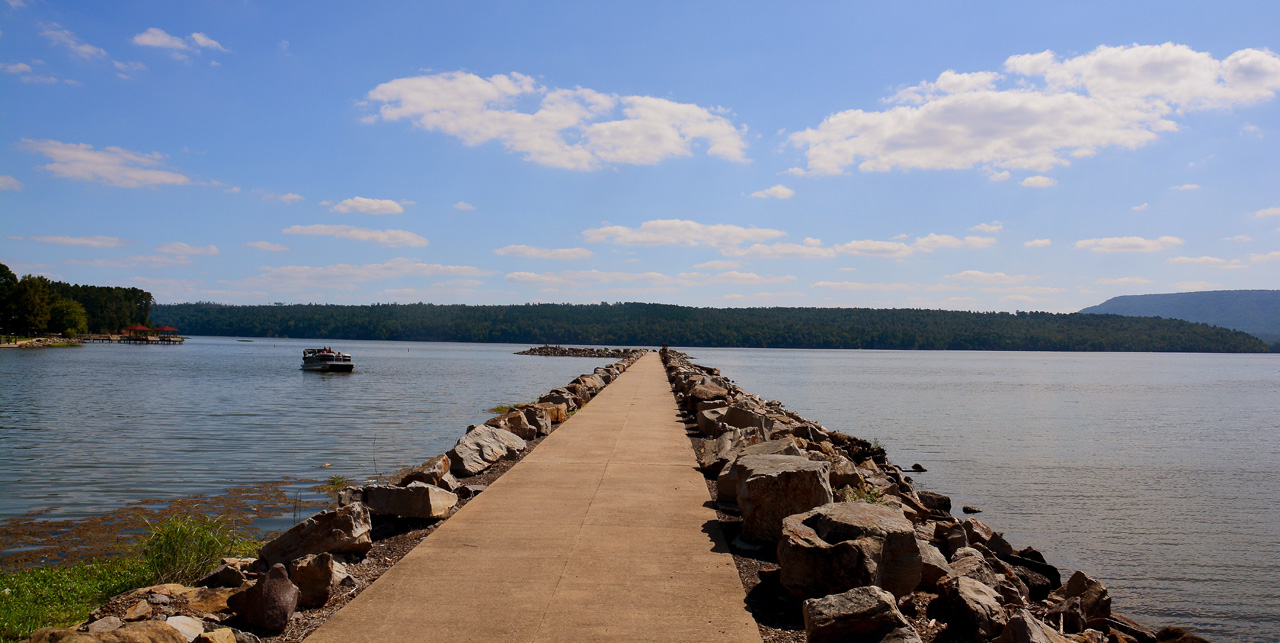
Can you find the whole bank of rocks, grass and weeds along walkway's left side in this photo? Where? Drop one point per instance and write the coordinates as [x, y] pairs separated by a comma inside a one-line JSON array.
[[108, 580]]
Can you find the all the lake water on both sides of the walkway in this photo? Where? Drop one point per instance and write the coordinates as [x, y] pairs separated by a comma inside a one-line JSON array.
[[1158, 475]]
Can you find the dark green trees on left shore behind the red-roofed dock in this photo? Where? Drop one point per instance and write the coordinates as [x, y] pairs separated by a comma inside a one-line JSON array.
[[35, 305]]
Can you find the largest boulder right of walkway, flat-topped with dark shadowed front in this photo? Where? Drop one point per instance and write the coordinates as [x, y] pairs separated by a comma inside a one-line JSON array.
[[847, 545]]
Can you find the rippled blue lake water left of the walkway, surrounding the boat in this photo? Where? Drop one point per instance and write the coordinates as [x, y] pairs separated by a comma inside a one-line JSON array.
[[94, 428]]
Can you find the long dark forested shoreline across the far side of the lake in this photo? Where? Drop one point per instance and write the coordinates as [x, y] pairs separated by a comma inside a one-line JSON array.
[[652, 325]]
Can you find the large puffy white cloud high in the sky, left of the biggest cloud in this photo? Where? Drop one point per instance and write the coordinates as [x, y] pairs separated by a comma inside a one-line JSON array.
[[570, 129]]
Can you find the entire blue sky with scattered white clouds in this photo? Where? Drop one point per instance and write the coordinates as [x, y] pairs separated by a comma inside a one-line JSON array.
[[943, 156]]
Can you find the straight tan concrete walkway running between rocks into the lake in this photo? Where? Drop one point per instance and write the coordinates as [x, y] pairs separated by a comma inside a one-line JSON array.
[[602, 533]]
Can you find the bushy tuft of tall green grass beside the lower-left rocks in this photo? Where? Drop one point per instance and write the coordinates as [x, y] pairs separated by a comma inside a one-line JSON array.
[[185, 549]]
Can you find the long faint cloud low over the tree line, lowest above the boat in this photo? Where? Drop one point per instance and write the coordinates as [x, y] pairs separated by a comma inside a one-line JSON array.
[[346, 276]]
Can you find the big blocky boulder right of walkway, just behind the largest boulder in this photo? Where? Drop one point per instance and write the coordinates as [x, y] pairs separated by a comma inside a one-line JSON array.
[[776, 487]]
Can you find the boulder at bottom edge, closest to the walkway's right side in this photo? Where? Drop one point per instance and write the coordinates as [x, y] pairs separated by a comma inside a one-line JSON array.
[[861, 615]]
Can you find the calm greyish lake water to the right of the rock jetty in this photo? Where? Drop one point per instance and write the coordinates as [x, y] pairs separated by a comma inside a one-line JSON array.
[[1158, 475]]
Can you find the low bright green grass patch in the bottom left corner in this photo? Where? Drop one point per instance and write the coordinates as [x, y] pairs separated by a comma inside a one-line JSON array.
[[44, 598]]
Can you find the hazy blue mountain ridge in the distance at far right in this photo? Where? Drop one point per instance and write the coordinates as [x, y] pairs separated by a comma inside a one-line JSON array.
[[1254, 312]]
